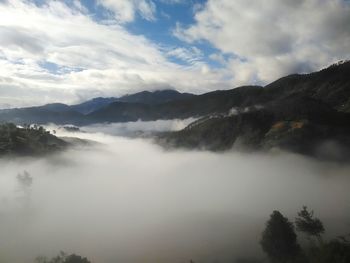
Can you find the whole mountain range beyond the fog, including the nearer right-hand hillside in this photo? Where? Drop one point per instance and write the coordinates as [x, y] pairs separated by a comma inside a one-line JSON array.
[[297, 112]]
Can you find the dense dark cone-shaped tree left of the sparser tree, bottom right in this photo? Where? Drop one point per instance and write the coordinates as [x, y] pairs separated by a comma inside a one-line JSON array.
[[279, 240]]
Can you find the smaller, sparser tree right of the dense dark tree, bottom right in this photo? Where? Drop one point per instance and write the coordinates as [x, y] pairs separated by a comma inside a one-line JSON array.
[[308, 224]]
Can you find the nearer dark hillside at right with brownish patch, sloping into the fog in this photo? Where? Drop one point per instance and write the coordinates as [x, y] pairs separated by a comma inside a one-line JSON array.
[[295, 123]]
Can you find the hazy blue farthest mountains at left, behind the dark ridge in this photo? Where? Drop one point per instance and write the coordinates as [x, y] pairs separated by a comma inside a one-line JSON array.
[[84, 113]]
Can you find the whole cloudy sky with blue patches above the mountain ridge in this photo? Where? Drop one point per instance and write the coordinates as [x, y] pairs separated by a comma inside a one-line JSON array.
[[70, 51]]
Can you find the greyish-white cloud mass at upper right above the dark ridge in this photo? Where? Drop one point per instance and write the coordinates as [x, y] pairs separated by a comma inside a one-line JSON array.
[[272, 38]]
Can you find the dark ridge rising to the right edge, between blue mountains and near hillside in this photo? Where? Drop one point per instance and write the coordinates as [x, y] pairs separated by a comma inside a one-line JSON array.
[[330, 86]]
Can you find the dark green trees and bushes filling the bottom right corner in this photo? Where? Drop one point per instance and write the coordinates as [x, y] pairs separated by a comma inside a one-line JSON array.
[[279, 241]]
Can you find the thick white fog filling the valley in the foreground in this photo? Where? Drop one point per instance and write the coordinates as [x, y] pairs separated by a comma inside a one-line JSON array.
[[129, 201]]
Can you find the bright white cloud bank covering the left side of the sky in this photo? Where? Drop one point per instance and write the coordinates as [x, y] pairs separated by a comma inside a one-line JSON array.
[[93, 59]]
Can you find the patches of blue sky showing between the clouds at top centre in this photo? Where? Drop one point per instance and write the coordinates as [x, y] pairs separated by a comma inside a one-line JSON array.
[[160, 30]]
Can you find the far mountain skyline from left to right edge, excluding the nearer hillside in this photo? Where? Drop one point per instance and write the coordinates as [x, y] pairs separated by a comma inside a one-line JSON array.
[[330, 86]]
